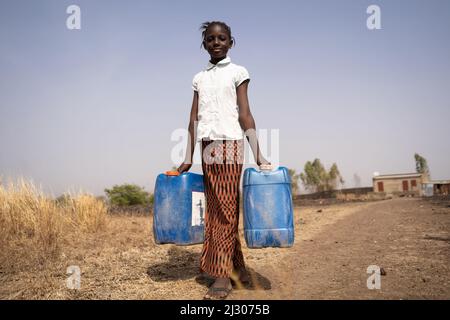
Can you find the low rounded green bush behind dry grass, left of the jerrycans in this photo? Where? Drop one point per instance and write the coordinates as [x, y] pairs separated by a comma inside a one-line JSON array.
[[128, 194]]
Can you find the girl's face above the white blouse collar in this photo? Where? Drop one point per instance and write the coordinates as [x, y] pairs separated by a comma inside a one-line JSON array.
[[217, 42]]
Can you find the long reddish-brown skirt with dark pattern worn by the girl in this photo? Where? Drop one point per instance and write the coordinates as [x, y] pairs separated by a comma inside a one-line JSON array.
[[222, 162]]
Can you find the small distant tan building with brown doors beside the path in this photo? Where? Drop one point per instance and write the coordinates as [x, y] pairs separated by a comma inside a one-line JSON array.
[[400, 184]]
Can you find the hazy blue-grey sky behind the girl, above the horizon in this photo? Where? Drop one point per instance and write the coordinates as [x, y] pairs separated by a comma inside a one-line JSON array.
[[95, 107]]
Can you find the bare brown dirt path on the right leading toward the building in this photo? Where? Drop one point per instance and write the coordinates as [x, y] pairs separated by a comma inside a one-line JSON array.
[[410, 239]]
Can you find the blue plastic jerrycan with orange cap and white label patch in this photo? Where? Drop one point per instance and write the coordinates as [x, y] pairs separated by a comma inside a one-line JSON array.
[[179, 208]]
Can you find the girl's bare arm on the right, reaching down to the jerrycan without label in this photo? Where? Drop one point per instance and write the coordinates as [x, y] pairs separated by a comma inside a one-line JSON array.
[[248, 123]]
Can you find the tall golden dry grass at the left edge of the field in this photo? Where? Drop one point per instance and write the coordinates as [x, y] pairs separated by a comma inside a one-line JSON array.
[[33, 226]]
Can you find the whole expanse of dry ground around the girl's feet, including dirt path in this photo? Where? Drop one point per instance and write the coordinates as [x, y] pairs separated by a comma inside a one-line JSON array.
[[409, 238]]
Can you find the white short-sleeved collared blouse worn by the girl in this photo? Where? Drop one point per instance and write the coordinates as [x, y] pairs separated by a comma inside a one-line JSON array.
[[218, 112]]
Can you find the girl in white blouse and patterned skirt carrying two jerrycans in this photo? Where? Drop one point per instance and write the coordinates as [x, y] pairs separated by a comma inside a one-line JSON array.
[[219, 115]]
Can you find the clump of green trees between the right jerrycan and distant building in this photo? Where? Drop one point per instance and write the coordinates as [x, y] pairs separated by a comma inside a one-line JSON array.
[[317, 178]]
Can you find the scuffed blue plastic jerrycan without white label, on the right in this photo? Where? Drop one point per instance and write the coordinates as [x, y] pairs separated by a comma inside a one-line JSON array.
[[268, 212]]
